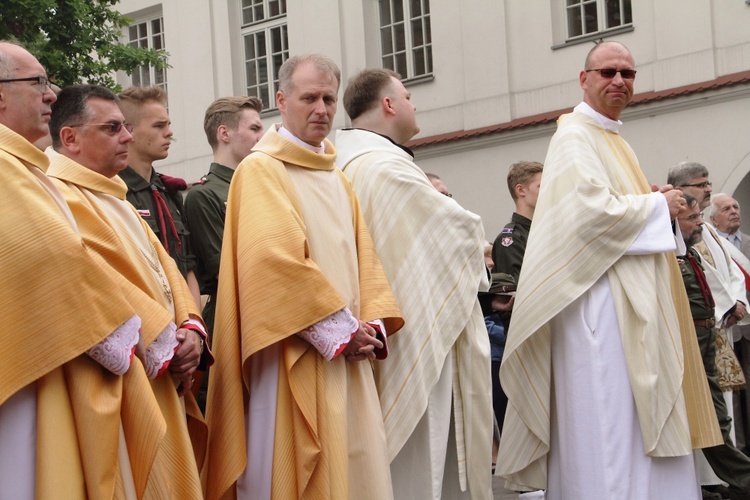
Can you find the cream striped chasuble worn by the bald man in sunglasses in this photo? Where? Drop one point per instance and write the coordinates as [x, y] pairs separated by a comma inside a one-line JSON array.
[[586, 218]]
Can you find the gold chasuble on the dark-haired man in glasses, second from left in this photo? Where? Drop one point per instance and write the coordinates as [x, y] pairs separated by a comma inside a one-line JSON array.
[[159, 447]]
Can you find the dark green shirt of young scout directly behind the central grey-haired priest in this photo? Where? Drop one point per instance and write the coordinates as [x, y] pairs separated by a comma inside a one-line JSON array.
[[206, 208]]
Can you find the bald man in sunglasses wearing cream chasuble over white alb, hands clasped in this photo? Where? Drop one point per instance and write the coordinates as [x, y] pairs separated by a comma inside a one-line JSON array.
[[607, 394]]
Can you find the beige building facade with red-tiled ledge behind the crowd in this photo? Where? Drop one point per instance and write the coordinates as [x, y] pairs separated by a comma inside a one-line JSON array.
[[488, 77]]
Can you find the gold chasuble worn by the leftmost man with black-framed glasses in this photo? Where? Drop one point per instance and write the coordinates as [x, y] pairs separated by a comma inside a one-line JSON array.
[[58, 304]]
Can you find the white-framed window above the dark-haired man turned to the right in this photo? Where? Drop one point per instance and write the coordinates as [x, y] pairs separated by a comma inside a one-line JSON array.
[[406, 37]]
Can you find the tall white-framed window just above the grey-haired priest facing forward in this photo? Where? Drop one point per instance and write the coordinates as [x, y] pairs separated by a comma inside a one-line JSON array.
[[265, 47]]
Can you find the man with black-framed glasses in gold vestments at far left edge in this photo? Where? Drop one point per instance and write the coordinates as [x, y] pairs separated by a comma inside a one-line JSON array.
[[59, 308]]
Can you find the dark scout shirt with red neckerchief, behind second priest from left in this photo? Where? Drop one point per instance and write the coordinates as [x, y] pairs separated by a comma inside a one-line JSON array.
[[141, 197]]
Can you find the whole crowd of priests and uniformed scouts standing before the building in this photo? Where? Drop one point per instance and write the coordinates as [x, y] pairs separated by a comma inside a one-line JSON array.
[[320, 321]]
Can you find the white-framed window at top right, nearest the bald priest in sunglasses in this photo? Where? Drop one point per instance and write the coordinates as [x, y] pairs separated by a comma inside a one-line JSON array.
[[592, 16]]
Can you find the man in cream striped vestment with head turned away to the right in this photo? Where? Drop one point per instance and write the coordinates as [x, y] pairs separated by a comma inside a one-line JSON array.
[[435, 387]]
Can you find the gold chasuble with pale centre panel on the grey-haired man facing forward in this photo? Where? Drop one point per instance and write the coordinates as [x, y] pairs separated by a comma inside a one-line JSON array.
[[295, 251]]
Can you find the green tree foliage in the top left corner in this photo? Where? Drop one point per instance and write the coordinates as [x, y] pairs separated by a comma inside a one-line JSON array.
[[76, 40]]
